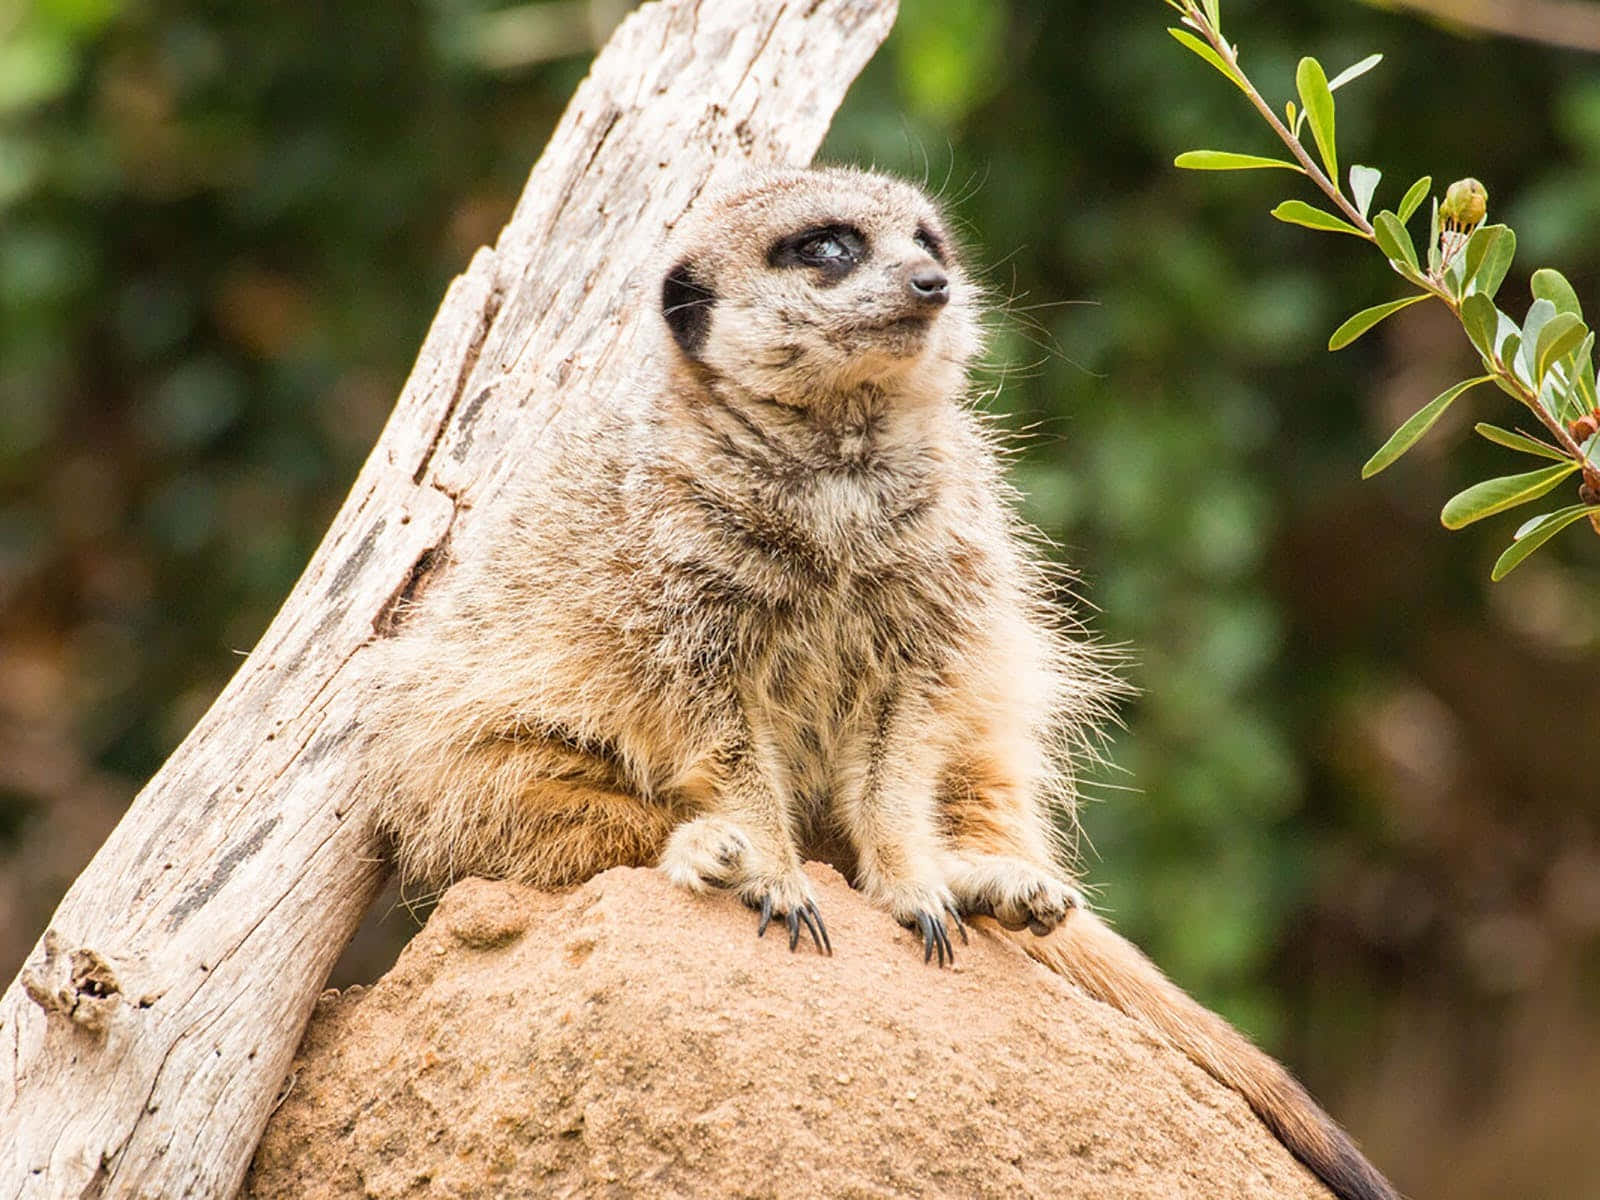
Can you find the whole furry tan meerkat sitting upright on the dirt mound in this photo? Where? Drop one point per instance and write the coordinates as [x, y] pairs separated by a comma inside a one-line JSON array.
[[777, 604]]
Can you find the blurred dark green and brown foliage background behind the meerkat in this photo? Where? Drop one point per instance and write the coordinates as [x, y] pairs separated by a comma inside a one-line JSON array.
[[1356, 807]]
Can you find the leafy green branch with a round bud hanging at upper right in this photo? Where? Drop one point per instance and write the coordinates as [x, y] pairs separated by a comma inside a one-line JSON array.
[[1546, 364]]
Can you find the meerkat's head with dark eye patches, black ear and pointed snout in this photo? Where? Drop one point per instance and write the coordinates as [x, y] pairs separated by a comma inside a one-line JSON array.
[[799, 286]]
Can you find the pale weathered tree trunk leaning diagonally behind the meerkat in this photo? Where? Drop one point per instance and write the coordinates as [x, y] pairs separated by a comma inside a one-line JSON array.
[[151, 1030]]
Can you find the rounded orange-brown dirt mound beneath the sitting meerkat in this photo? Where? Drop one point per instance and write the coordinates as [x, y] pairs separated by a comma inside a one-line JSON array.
[[628, 1039]]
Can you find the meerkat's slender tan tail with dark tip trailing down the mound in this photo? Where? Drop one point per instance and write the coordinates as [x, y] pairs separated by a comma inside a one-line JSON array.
[[1111, 969]]
